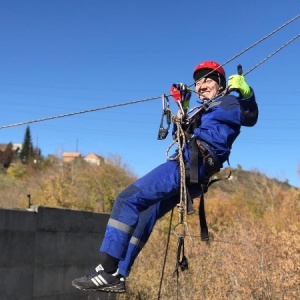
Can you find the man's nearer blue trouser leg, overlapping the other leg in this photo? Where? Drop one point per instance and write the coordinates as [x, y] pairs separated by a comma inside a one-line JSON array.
[[161, 183]]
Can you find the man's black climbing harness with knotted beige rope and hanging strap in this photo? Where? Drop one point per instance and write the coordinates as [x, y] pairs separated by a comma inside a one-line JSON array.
[[185, 206]]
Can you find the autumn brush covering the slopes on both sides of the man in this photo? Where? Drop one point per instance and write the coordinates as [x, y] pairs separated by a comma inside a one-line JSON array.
[[253, 221]]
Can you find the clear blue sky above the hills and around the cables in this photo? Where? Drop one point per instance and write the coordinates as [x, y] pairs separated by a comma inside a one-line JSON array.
[[64, 56]]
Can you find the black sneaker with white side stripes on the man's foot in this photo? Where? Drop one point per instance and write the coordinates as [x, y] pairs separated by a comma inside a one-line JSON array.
[[99, 280]]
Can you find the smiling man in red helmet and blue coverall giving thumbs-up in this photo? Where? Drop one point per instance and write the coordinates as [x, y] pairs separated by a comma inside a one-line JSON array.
[[139, 206]]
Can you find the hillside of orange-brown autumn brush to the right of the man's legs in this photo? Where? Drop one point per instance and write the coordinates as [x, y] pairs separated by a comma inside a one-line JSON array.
[[253, 251]]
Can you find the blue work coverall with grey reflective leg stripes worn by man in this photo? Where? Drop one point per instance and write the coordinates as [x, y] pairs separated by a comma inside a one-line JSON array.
[[140, 205]]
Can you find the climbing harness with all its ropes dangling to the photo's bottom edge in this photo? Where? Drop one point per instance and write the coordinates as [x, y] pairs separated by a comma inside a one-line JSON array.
[[185, 206]]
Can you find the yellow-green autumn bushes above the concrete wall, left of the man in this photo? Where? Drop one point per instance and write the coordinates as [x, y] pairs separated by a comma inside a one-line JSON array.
[[77, 185]]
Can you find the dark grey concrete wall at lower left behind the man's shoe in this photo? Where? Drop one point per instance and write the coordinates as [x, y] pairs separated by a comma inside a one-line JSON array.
[[42, 252]]
